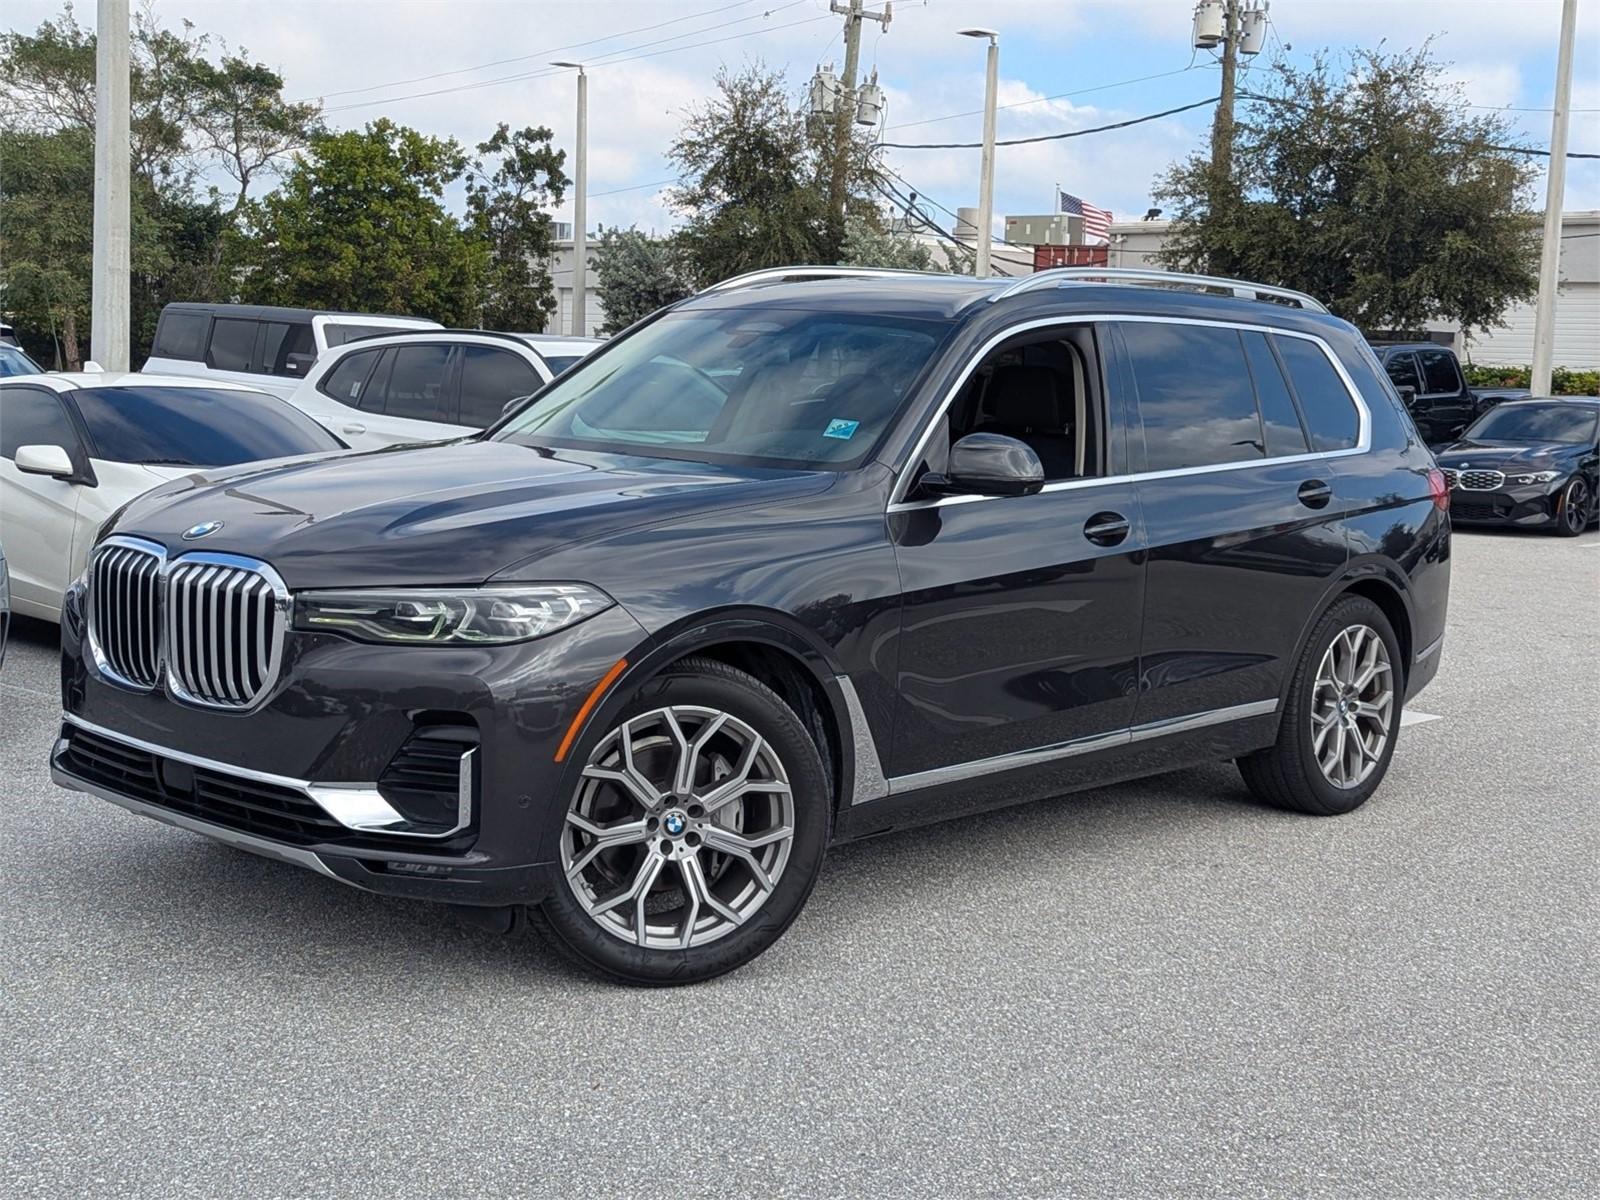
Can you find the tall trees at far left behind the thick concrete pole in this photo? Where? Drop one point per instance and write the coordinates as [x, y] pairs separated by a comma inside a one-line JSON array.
[[193, 121]]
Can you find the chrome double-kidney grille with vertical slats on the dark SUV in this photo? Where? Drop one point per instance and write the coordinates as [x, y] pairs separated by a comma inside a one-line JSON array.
[[210, 623]]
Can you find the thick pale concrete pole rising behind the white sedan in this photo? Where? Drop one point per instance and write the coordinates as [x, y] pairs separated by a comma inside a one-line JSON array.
[[110, 327]]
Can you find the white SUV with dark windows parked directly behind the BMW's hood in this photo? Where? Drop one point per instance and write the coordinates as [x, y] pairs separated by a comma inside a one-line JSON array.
[[430, 386]]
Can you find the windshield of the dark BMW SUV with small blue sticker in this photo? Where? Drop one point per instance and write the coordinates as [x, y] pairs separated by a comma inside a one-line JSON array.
[[762, 386]]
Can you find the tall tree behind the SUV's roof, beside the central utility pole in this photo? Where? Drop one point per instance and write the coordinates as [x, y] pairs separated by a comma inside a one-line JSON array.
[[753, 180]]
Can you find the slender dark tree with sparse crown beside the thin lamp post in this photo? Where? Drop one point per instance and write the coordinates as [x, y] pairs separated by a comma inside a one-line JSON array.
[[506, 210]]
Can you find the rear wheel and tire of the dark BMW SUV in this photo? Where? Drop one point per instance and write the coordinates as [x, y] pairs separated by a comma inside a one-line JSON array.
[[1294, 774]]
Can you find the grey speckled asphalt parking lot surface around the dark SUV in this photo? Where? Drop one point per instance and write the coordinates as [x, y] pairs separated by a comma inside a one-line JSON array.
[[1153, 990]]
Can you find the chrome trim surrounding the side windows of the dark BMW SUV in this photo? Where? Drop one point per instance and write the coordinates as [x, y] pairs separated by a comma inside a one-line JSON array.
[[1364, 438]]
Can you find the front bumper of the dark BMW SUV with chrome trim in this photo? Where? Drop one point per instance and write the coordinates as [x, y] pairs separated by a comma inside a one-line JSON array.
[[297, 778]]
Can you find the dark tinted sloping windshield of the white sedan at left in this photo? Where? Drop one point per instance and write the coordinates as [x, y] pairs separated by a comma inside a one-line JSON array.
[[196, 426]]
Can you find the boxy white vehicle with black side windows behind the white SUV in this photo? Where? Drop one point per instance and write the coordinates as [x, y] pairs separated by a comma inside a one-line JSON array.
[[268, 348]]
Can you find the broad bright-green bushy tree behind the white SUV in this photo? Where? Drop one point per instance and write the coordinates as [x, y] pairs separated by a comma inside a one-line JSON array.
[[359, 223]]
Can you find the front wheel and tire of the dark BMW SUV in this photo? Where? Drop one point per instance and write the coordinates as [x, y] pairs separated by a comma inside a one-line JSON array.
[[690, 876]]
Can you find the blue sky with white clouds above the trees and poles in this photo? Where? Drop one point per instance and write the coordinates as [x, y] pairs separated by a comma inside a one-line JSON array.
[[487, 60]]
